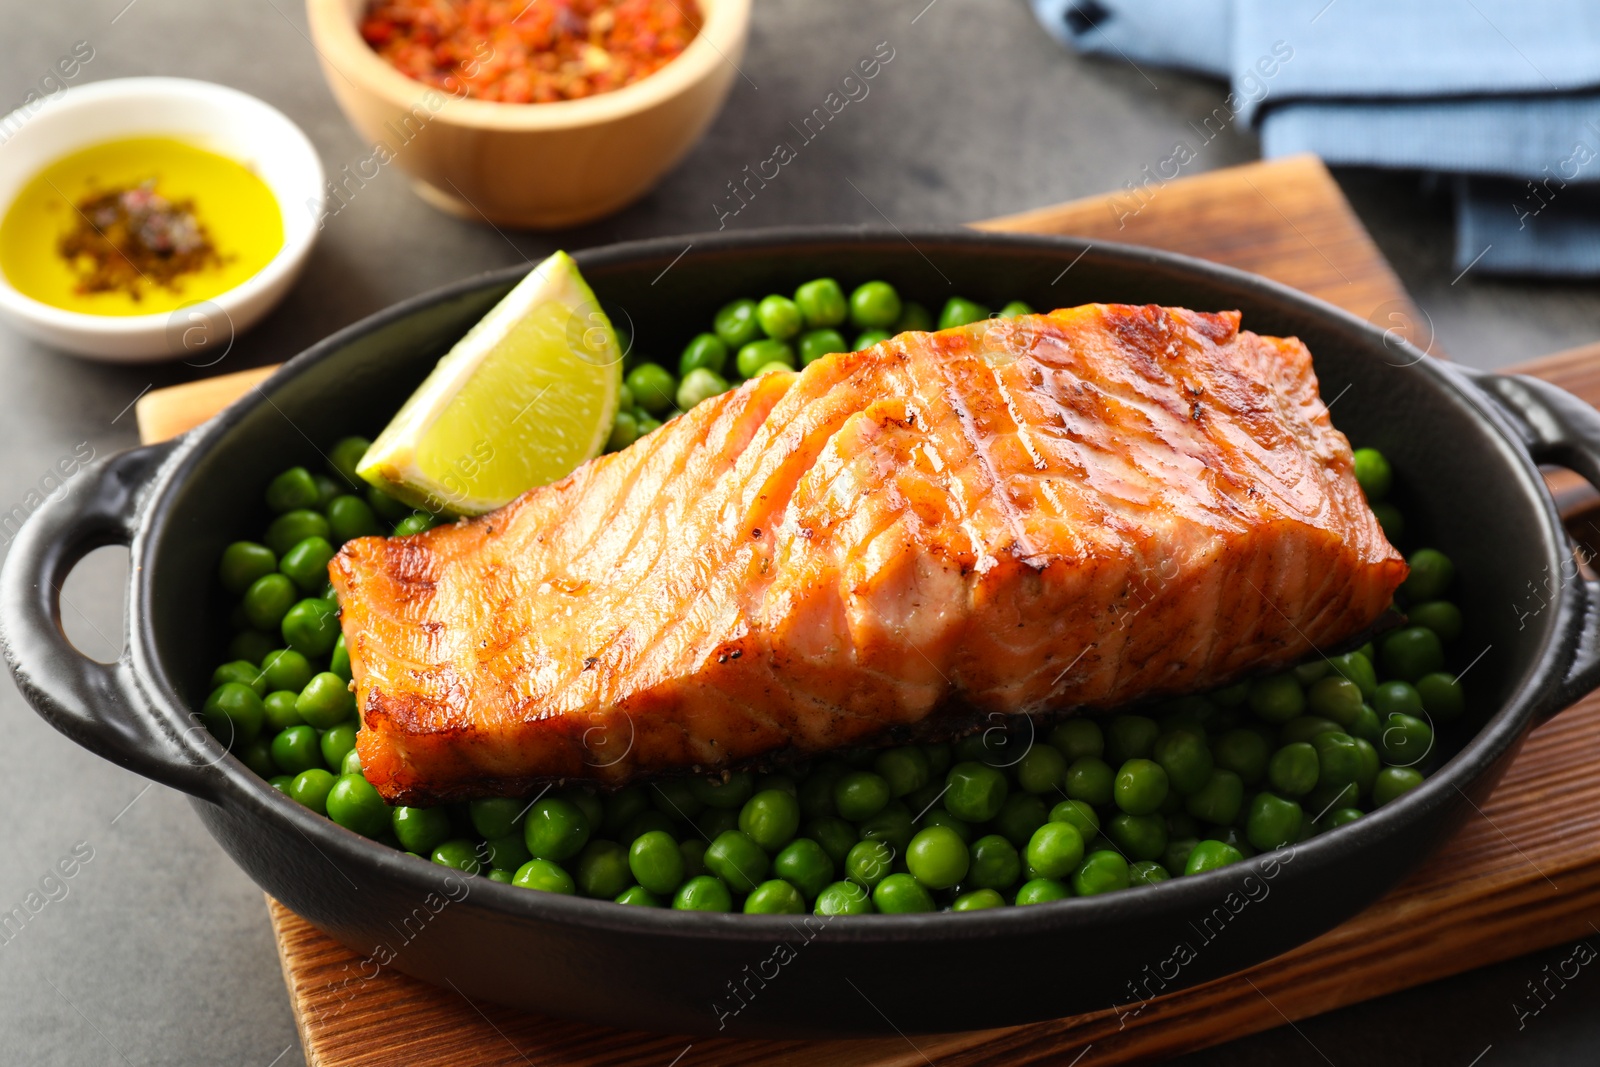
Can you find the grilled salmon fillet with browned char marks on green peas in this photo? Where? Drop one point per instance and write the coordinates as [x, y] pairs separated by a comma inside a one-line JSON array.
[[1066, 511]]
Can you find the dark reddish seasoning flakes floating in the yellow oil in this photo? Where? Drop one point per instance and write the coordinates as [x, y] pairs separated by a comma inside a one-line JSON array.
[[127, 239]]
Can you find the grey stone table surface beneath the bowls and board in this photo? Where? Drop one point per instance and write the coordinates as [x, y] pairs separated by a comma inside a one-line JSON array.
[[158, 949]]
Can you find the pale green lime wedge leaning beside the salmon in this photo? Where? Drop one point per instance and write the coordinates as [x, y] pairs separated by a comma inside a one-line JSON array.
[[522, 401]]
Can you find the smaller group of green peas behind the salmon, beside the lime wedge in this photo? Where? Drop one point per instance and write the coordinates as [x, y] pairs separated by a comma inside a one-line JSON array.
[[750, 338]]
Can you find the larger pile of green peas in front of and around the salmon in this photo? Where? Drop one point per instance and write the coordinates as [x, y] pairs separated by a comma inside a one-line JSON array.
[[1009, 817]]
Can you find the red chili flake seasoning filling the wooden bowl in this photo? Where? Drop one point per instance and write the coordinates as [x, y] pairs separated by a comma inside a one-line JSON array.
[[530, 52]]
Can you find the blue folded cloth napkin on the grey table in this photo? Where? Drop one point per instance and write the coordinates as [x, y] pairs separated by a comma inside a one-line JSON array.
[[1502, 94]]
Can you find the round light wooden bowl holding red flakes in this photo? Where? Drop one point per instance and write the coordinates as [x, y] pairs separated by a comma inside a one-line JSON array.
[[524, 166]]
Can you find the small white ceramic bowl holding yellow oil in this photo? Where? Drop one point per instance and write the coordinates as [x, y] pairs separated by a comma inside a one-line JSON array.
[[209, 116]]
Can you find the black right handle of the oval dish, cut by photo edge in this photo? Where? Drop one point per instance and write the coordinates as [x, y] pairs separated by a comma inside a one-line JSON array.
[[1559, 430]]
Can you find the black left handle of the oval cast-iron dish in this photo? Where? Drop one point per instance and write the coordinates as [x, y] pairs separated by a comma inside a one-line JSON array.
[[100, 706]]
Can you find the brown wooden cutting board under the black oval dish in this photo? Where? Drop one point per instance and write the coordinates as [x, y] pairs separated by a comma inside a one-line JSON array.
[[1514, 881]]
